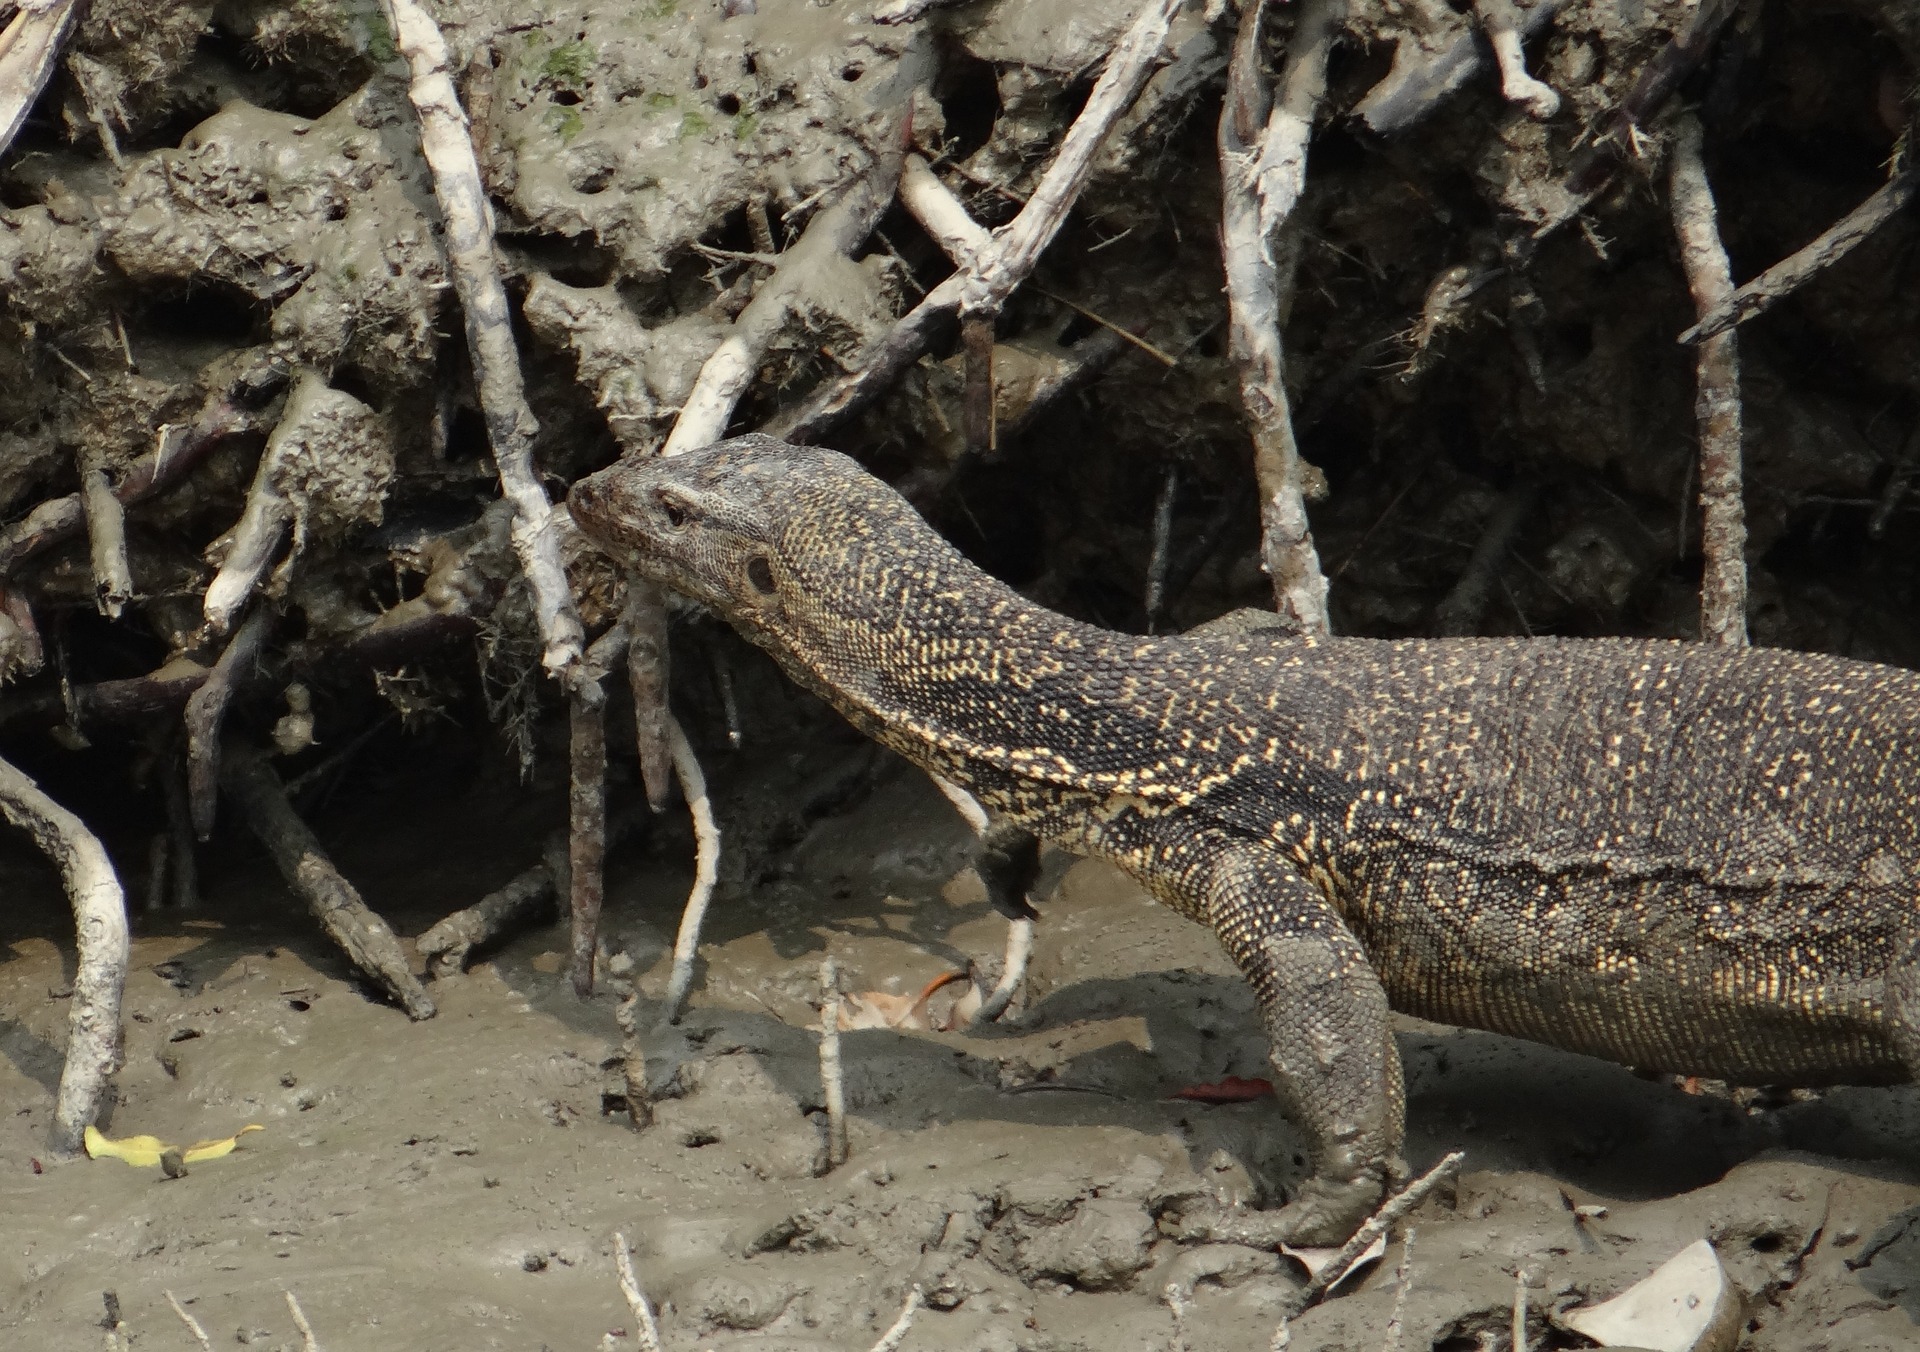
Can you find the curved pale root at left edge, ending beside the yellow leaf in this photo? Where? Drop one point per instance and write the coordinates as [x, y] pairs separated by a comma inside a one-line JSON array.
[[101, 965]]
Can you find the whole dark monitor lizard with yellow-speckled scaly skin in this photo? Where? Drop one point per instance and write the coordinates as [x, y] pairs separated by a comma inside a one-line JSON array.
[[1671, 856]]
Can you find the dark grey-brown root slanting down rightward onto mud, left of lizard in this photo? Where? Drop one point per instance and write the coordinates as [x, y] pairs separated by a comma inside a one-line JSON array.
[[366, 938]]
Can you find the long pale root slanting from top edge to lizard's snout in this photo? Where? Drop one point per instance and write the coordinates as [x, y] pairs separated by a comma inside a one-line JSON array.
[[475, 266]]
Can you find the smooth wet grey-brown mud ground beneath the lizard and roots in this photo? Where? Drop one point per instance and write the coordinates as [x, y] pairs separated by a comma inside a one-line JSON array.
[[456, 1184]]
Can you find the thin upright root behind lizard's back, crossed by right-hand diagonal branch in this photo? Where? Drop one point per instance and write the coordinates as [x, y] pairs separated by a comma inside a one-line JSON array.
[[1723, 516]]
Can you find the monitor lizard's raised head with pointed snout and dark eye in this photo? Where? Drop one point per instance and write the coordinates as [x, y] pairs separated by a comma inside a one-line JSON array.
[[759, 531]]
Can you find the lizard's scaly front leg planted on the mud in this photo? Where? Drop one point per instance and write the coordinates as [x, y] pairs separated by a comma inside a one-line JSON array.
[[1335, 1065]]
